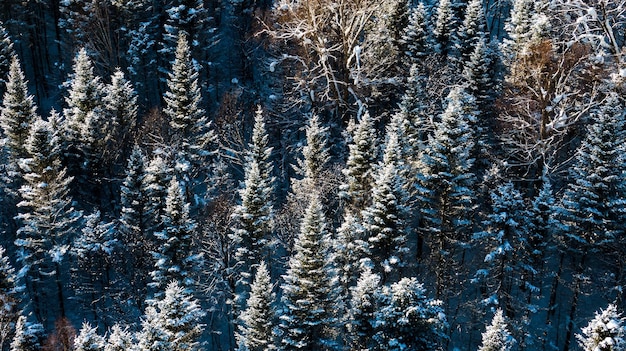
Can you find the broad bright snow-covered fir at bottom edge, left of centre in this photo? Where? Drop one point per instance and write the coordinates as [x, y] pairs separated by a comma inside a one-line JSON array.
[[173, 322]]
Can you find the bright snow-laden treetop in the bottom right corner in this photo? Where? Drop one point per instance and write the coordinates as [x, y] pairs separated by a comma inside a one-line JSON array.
[[605, 332]]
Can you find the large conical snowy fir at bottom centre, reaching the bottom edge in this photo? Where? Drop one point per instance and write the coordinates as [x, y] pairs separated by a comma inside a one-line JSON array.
[[309, 290]]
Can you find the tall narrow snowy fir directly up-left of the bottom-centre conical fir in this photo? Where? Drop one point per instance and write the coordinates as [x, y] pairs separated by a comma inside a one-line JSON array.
[[253, 217]]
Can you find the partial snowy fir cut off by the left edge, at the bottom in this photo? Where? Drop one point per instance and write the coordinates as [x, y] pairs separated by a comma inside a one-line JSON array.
[[8, 299]]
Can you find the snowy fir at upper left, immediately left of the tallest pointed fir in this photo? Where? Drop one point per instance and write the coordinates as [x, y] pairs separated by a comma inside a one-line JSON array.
[[121, 109]]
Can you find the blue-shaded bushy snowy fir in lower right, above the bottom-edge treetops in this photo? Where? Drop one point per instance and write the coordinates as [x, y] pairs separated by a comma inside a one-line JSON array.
[[505, 239]]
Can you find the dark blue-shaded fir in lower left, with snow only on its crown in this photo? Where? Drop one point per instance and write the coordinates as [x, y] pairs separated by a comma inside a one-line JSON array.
[[93, 251]]
